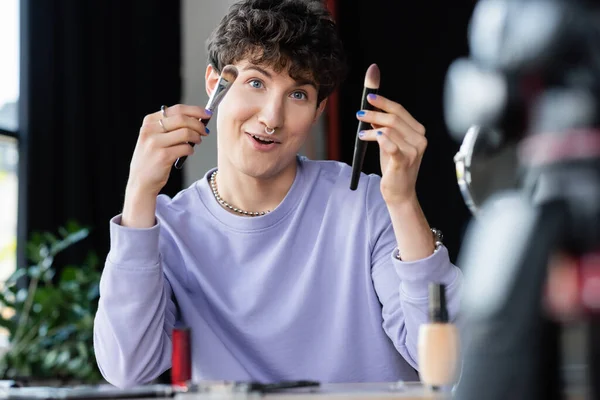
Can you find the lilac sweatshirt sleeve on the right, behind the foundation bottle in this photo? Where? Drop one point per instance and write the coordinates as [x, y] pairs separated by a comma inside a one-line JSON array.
[[403, 287]]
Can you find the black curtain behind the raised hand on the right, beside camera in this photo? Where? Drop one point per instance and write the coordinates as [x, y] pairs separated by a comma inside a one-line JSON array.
[[413, 43]]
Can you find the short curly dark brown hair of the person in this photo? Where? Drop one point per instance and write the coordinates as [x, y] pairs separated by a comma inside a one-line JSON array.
[[299, 36]]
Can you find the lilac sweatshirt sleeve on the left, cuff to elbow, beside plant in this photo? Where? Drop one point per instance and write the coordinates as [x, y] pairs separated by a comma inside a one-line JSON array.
[[136, 313]]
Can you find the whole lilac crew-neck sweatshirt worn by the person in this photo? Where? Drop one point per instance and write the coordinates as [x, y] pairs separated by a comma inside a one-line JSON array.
[[311, 290]]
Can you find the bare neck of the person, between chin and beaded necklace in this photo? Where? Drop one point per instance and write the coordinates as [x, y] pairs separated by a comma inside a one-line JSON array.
[[252, 194]]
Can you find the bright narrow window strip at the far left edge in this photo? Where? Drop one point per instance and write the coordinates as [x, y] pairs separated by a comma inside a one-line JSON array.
[[9, 96]]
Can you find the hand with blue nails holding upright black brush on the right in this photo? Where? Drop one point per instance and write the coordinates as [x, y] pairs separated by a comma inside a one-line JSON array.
[[402, 143]]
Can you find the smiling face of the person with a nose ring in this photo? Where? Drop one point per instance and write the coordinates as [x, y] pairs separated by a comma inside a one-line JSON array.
[[261, 98]]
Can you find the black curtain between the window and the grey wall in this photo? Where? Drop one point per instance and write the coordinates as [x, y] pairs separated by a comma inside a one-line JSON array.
[[91, 71]]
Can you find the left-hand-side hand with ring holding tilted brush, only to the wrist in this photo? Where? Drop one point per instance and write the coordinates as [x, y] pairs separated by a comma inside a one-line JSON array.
[[160, 145]]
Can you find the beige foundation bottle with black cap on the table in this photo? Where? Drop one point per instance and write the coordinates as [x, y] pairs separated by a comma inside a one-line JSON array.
[[438, 344]]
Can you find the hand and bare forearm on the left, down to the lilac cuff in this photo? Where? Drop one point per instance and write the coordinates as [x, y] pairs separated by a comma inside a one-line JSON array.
[[162, 140]]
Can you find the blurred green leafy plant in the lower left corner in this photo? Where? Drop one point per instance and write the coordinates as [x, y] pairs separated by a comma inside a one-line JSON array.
[[50, 319]]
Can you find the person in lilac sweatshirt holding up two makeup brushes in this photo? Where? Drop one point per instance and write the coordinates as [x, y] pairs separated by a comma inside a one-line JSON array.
[[325, 283]]
